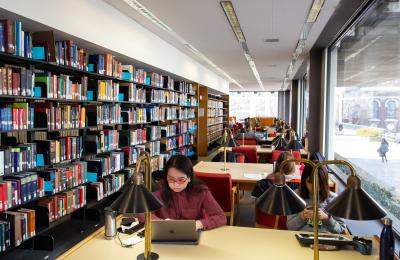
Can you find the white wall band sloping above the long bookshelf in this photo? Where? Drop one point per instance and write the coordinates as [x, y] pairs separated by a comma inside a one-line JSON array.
[[101, 24]]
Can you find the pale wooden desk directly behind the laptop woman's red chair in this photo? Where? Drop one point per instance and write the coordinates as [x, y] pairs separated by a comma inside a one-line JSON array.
[[237, 171]]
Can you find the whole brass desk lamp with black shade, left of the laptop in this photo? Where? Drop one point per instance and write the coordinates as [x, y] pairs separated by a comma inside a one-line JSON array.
[[136, 198]]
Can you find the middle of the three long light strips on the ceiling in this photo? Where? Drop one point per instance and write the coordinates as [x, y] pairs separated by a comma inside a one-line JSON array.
[[230, 14]]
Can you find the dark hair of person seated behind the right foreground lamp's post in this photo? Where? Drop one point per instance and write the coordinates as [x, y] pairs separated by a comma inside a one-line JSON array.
[[323, 183]]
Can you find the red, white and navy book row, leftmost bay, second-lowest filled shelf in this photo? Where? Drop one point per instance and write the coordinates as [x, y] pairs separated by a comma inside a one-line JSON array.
[[20, 189]]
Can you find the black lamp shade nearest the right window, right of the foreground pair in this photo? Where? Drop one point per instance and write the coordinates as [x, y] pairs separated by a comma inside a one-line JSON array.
[[355, 204]]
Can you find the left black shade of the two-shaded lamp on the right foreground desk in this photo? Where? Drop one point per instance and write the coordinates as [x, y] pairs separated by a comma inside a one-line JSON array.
[[280, 200]]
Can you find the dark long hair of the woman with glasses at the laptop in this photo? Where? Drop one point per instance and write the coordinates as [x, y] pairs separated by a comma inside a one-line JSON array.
[[184, 165]]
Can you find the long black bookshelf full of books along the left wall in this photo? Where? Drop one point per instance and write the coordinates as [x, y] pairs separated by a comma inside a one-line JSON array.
[[73, 122]]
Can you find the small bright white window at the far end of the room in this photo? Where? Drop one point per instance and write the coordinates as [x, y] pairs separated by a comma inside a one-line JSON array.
[[253, 104]]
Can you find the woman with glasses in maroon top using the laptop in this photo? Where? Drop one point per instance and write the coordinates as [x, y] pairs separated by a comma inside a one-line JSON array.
[[186, 197]]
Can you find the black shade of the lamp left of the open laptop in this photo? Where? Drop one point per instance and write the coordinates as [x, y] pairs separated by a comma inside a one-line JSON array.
[[136, 199]]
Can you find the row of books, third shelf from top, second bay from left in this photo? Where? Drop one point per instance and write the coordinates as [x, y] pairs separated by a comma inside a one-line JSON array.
[[60, 117]]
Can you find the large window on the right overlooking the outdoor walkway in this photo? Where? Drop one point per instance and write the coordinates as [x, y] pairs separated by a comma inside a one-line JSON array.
[[364, 76]]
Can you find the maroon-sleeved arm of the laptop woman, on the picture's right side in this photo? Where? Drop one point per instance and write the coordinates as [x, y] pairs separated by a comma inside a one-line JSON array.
[[214, 216]]
